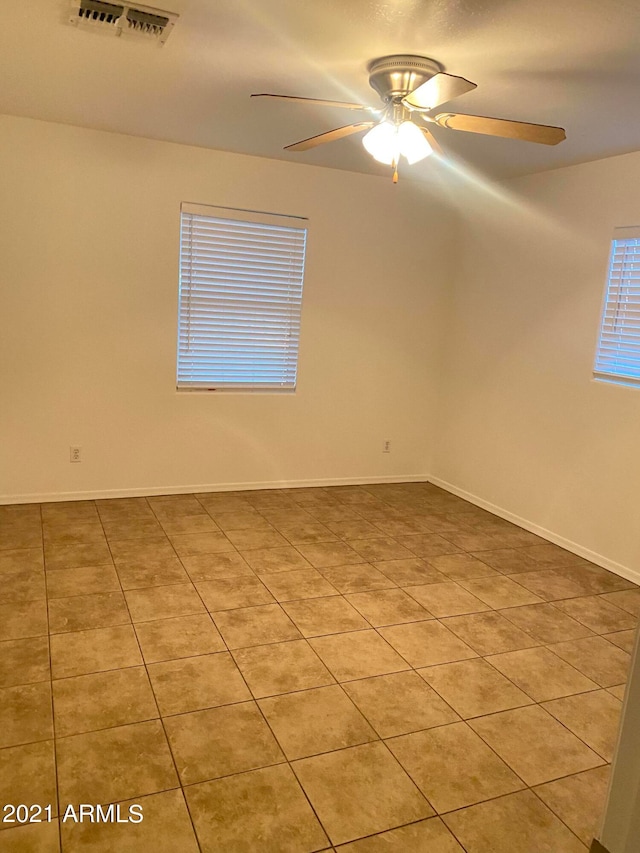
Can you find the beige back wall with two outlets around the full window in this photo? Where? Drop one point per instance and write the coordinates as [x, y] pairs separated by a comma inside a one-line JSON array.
[[88, 302]]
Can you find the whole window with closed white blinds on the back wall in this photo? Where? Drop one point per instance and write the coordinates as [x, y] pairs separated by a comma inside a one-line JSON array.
[[241, 276]]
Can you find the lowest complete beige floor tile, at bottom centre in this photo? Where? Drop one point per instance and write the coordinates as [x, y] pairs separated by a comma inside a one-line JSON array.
[[359, 791]]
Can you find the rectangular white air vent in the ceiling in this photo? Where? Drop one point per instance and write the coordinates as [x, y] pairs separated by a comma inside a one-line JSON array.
[[122, 19]]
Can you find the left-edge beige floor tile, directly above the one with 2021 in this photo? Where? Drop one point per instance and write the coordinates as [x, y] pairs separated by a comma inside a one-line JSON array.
[[25, 714]]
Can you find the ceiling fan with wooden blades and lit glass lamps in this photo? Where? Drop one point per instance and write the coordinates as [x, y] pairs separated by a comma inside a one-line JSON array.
[[412, 87]]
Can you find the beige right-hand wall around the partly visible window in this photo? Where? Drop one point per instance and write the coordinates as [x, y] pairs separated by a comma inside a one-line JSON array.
[[523, 425]]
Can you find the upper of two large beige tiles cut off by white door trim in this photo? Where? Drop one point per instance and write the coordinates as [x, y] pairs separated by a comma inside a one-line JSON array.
[[593, 717]]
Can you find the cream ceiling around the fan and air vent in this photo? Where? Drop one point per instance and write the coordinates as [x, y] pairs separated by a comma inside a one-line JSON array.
[[573, 63]]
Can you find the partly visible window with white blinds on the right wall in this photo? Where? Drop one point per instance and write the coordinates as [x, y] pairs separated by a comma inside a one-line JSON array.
[[618, 353]]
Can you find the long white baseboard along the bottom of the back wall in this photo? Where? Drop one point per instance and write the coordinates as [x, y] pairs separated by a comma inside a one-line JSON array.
[[149, 491]]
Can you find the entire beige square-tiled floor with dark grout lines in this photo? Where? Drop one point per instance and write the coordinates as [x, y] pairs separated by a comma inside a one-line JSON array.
[[358, 668]]
